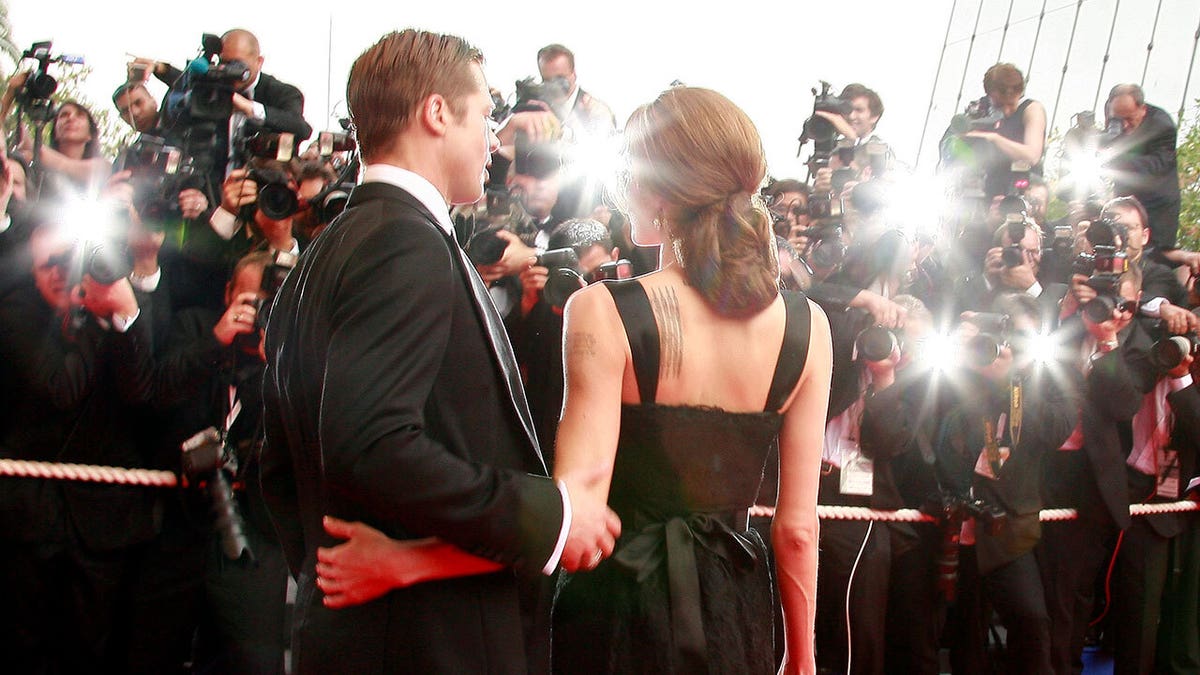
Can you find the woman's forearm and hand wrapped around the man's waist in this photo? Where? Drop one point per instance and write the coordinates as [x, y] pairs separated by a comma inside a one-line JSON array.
[[370, 564]]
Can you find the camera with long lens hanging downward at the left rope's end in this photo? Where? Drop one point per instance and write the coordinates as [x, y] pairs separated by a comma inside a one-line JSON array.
[[208, 458]]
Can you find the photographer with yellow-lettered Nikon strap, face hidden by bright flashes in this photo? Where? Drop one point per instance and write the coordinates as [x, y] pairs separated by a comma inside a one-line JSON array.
[[991, 449]]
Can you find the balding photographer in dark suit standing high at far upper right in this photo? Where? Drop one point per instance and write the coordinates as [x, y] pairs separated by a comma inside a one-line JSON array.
[[1143, 163]]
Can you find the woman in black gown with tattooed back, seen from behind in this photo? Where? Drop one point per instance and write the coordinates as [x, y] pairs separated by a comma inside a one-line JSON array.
[[682, 381]]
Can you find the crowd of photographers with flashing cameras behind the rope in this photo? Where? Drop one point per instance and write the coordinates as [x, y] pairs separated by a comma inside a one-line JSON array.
[[989, 362]]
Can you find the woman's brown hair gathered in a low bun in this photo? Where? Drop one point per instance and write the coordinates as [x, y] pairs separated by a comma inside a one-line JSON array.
[[703, 156]]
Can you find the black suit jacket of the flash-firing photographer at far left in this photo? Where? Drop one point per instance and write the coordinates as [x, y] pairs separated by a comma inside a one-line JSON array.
[[73, 402]]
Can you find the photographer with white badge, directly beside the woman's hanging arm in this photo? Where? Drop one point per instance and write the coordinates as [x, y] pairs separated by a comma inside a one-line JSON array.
[[872, 420]]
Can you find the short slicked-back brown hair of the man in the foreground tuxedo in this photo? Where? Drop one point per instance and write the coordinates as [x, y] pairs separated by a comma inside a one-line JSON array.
[[393, 79]]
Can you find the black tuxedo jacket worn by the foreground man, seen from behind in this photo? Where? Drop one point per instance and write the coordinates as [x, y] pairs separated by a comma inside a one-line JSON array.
[[387, 403]]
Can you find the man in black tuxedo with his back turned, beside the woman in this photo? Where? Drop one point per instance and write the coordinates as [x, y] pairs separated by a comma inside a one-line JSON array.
[[392, 396]]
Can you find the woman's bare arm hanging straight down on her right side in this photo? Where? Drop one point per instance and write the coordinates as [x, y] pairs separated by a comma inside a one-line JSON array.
[[795, 530]]
